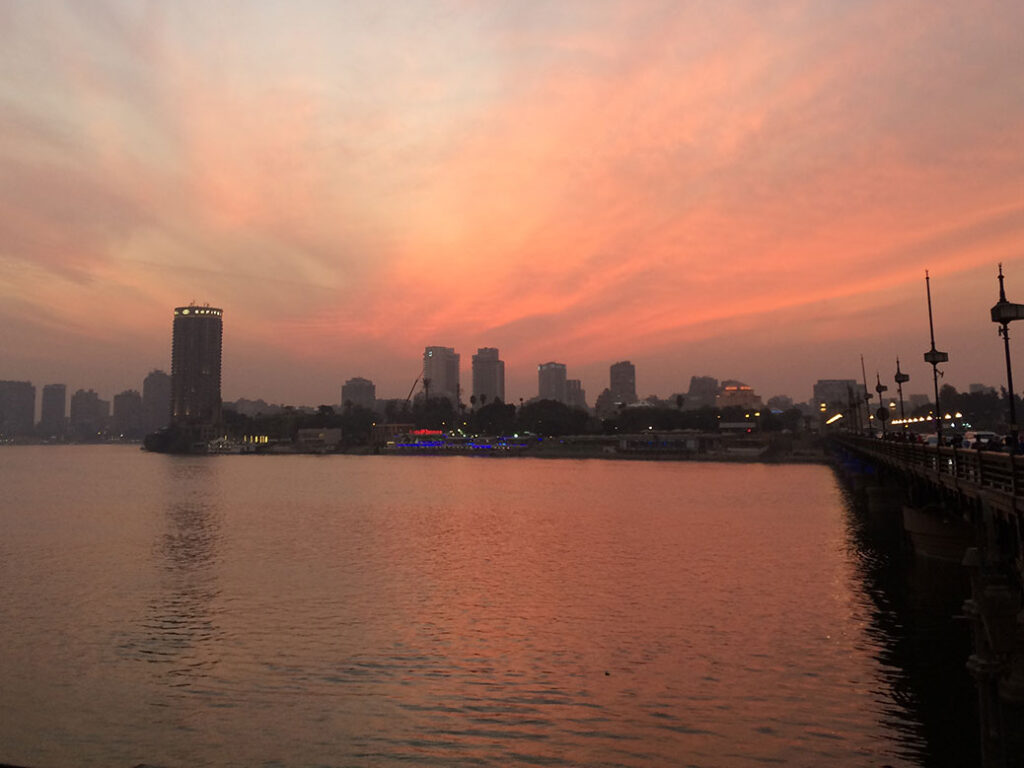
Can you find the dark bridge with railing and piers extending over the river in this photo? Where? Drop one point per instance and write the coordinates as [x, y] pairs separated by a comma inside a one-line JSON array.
[[966, 505]]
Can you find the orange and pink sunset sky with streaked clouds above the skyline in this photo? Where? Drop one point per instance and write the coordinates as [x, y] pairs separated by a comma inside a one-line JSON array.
[[738, 189]]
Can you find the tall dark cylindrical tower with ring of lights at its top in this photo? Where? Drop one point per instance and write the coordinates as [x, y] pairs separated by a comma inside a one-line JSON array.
[[196, 366]]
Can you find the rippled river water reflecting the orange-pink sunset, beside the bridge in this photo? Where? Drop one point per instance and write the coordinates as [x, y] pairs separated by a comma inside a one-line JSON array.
[[416, 611]]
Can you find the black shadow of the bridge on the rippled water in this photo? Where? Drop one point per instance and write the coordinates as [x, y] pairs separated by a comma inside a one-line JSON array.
[[914, 607]]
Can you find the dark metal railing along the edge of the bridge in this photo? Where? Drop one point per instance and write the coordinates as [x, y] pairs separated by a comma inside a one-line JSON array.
[[985, 470]]
